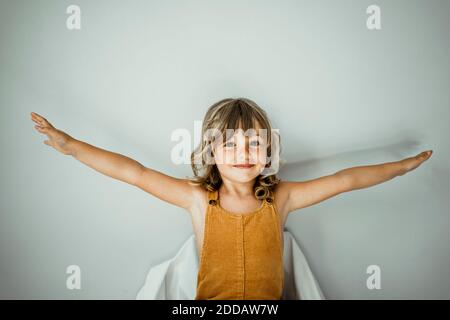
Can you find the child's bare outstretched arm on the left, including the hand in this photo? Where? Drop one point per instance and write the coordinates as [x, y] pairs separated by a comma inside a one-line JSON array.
[[173, 190]]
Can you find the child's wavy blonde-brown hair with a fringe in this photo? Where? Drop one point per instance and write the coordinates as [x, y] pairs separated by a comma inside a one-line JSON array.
[[228, 114]]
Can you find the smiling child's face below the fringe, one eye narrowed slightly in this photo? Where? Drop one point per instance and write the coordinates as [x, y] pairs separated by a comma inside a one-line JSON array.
[[243, 148]]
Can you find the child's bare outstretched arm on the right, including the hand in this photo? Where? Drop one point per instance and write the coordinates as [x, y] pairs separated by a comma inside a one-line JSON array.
[[306, 193]]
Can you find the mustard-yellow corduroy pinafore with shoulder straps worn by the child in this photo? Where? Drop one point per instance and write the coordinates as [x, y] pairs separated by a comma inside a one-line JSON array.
[[241, 257]]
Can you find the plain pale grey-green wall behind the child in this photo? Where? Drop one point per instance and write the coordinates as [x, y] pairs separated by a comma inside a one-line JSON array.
[[340, 94]]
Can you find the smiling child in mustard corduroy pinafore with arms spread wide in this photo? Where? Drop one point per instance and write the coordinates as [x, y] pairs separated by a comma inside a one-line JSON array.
[[237, 204]]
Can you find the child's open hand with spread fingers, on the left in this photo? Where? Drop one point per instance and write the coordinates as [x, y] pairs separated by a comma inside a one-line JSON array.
[[56, 138]]
